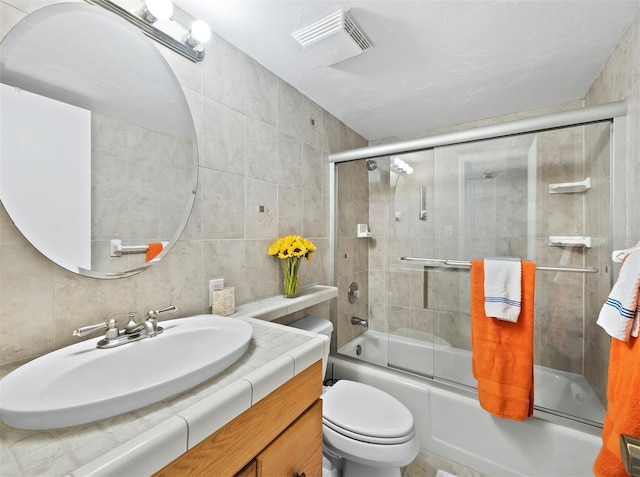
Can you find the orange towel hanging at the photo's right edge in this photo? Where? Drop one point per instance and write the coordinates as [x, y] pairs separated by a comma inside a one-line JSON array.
[[623, 409]]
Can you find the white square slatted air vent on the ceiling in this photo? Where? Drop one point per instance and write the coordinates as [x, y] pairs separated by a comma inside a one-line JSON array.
[[333, 38]]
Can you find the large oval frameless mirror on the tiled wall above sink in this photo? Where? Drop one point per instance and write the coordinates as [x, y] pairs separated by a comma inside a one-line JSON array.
[[98, 153]]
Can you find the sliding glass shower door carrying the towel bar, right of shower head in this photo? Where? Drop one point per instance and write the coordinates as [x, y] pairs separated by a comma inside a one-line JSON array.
[[540, 197]]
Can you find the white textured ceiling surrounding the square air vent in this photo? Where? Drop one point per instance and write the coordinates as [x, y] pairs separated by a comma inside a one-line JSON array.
[[434, 63]]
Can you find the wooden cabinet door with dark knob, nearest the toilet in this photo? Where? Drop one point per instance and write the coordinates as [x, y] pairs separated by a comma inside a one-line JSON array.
[[298, 450]]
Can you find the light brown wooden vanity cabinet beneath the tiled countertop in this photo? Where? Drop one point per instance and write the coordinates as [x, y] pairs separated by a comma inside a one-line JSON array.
[[281, 435]]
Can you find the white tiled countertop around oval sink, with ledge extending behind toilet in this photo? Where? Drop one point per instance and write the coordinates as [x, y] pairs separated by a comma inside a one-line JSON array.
[[143, 441]]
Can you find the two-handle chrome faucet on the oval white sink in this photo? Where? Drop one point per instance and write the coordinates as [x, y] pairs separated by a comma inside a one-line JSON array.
[[132, 331]]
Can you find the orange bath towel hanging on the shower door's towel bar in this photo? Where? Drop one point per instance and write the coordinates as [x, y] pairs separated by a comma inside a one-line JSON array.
[[502, 359]]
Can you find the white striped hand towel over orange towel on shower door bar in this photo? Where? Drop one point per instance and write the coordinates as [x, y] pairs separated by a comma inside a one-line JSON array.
[[502, 288]]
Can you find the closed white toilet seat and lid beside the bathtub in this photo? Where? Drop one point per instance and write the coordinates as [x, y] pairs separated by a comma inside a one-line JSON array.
[[366, 414]]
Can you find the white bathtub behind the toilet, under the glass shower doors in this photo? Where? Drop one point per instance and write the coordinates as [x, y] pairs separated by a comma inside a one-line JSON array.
[[450, 421]]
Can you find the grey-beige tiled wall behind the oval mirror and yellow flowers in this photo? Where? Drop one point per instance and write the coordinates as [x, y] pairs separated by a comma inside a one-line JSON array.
[[258, 146]]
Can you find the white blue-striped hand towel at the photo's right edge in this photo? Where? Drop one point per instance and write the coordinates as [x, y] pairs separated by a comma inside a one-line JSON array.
[[621, 308]]
